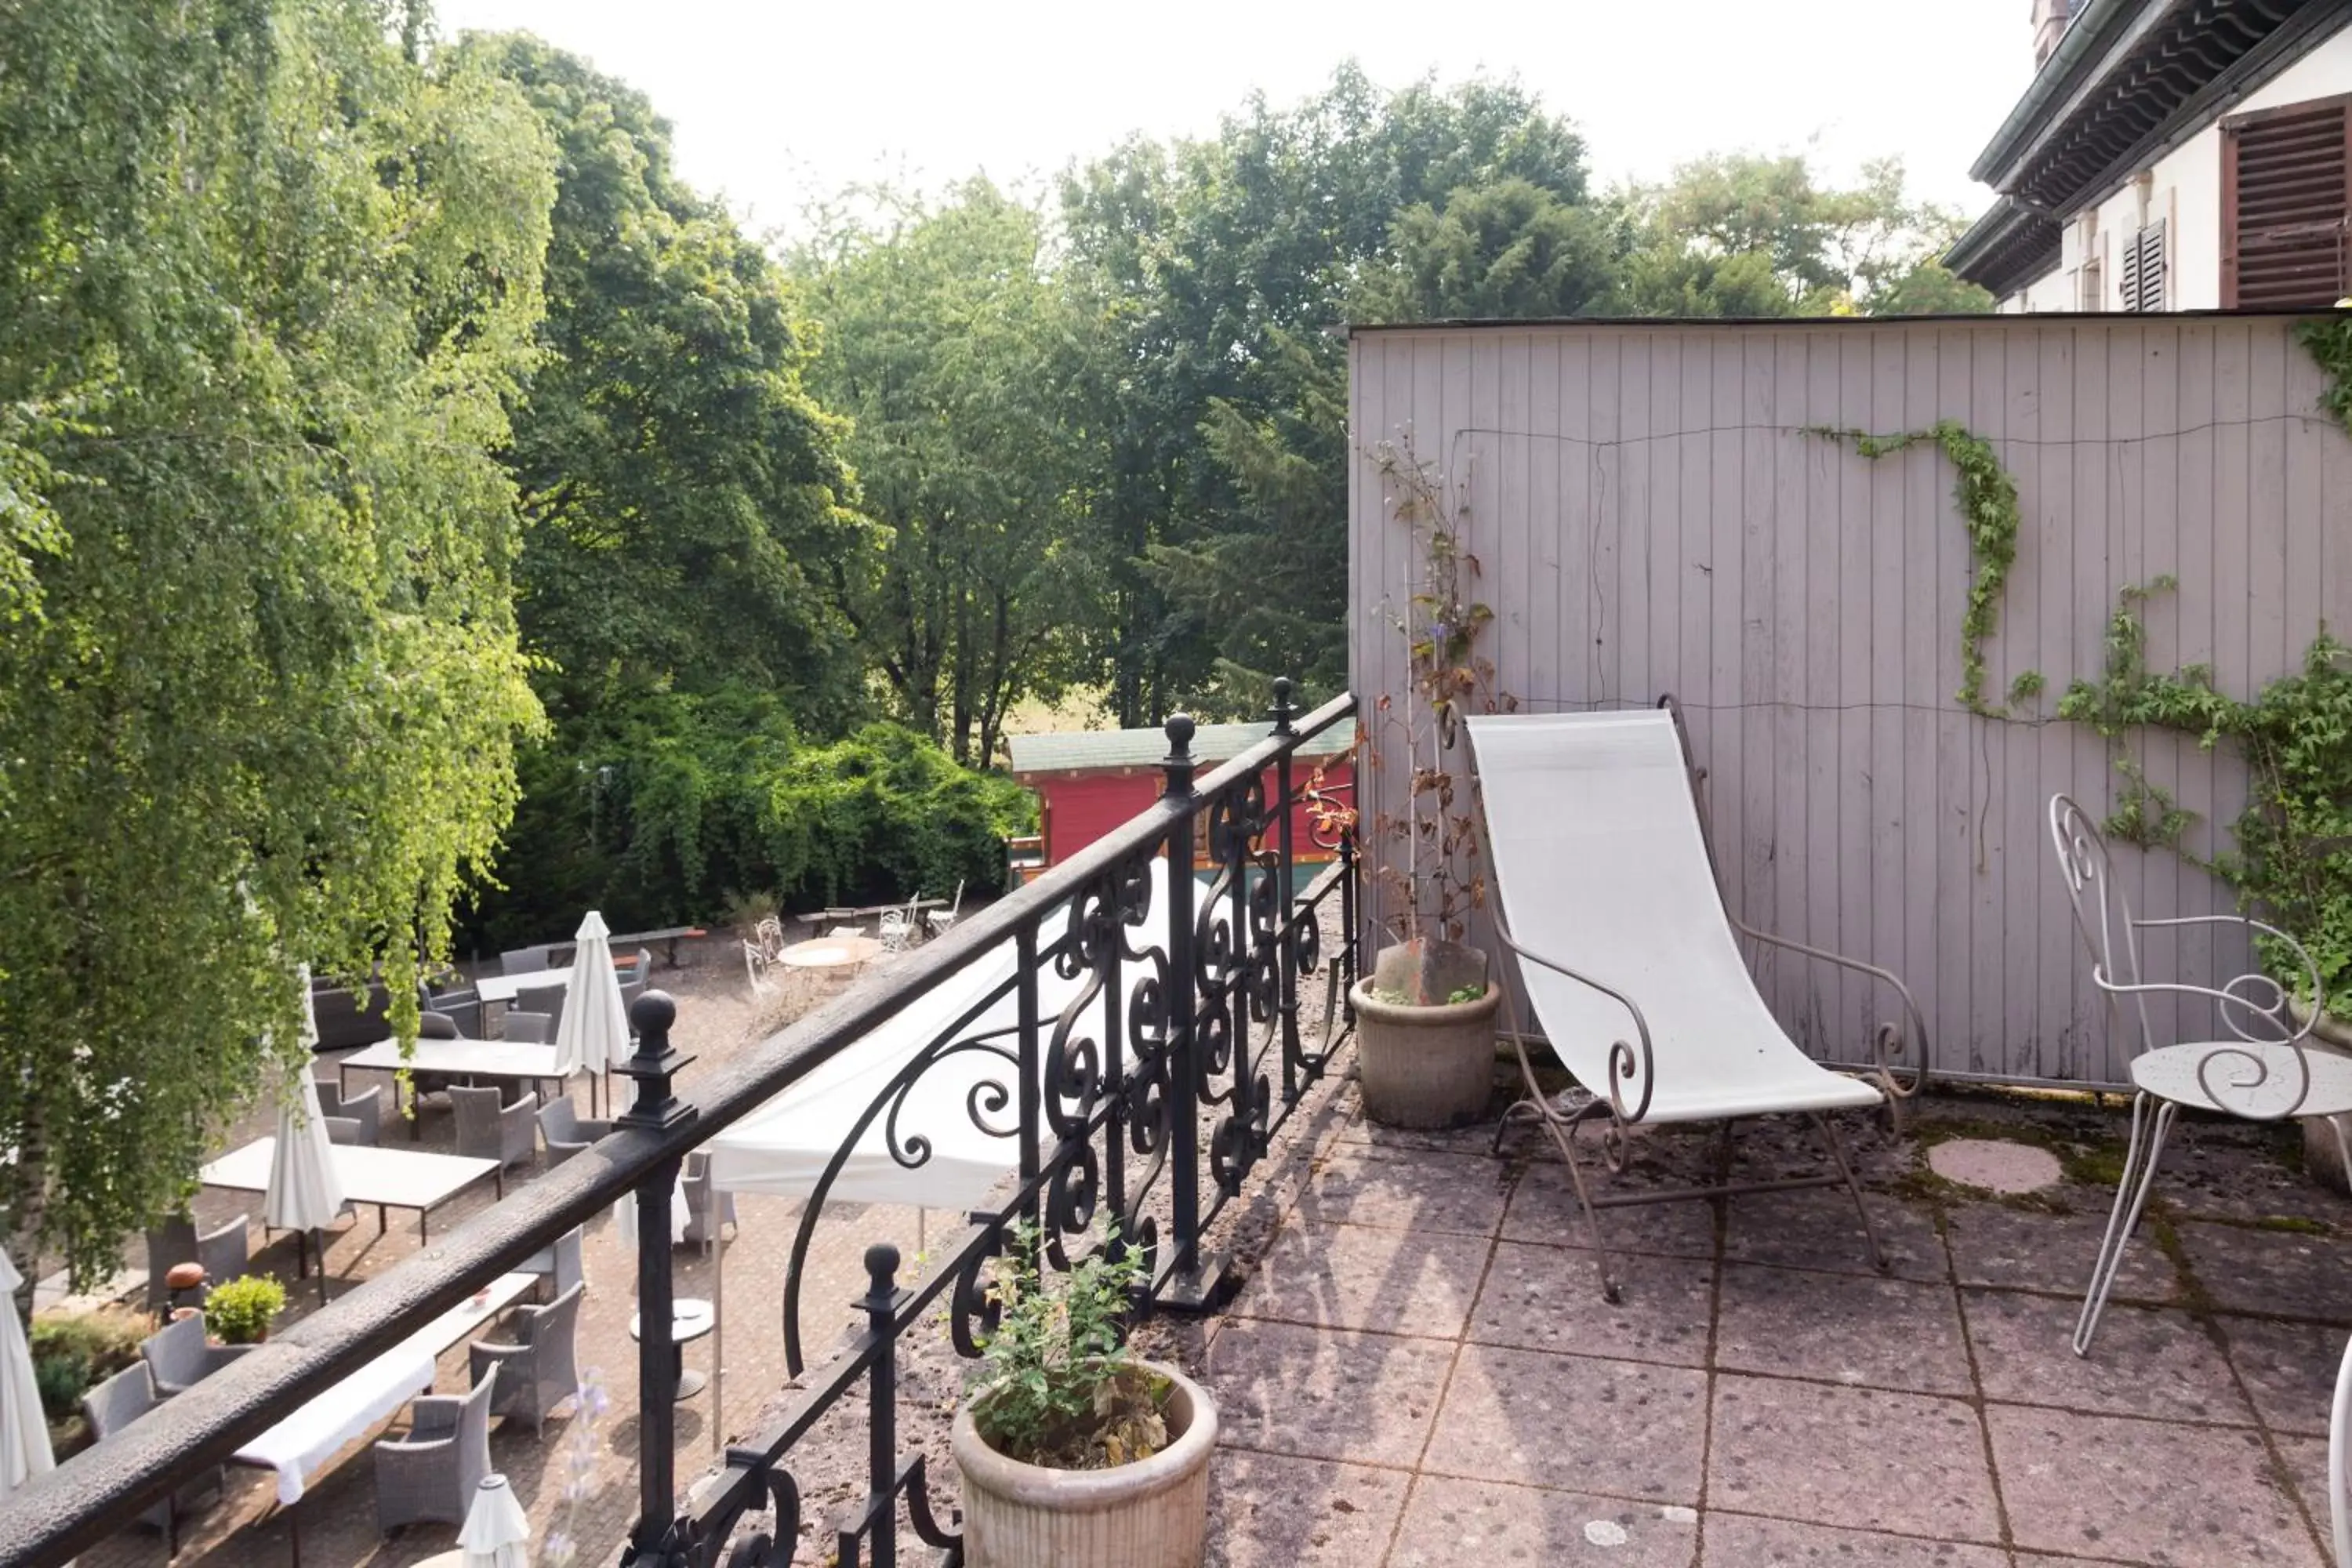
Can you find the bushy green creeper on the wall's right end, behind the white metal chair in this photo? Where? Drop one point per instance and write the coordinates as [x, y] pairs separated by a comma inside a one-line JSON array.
[[2294, 838]]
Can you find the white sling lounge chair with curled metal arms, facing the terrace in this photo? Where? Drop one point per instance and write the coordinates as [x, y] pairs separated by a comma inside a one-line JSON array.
[[1633, 965]]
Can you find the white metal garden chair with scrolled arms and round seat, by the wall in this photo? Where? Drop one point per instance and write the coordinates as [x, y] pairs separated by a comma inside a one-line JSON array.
[[2261, 1078]]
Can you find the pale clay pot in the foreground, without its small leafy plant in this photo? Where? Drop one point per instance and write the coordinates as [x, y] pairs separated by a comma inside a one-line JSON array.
[[1144, 1515]]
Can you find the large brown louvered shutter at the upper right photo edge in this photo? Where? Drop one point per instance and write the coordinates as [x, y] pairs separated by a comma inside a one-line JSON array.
[[2285, 203]]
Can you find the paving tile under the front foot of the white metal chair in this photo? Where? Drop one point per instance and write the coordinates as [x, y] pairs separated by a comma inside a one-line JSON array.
[[2144, 1362]]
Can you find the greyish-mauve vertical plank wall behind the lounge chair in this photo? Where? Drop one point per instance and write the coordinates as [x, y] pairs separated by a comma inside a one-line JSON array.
[[1652, 516]]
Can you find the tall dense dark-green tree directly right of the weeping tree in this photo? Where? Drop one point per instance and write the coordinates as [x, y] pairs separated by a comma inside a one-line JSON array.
[[679, 478]]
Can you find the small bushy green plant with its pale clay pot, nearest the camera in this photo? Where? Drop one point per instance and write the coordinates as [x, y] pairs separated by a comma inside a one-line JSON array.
[[1071, 1449]]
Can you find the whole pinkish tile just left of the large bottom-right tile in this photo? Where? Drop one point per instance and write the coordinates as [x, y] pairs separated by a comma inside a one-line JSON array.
[[1857, 1459]]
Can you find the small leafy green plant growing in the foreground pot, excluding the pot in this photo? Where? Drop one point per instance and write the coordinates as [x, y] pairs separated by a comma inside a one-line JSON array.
[[1055, 1381]]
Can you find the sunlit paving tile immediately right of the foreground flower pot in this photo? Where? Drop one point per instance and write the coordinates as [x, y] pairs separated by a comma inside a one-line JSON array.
[[1325, 1395]]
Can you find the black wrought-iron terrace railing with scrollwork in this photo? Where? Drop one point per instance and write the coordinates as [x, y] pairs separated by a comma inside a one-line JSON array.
[[1175, 1019]]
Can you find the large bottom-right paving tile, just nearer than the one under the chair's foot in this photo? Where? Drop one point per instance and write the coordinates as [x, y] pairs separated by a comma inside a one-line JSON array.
[[2144, 1492]]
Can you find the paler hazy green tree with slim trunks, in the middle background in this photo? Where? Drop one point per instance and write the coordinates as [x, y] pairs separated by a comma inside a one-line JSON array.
[[949, 344]]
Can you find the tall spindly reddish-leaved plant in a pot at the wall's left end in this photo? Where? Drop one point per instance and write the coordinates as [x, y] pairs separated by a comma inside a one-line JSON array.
[[1426, 1012]]
